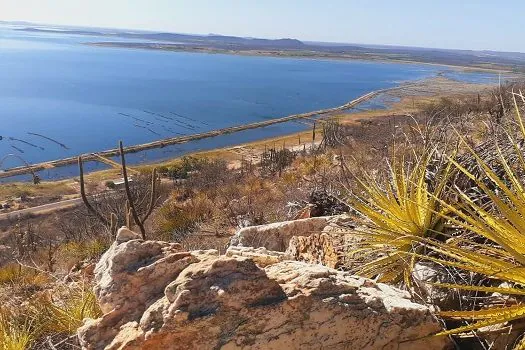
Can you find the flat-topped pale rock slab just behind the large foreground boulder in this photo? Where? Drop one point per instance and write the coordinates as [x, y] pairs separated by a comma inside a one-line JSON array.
[[277, 236]]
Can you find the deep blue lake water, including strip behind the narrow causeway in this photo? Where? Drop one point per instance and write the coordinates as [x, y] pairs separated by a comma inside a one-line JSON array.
[[87, 98]]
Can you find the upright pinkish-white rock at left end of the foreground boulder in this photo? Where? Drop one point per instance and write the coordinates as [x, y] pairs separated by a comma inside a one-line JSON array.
[[130, 276]]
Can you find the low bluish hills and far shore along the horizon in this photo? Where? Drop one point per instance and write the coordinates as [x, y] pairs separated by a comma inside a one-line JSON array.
[[286, 47]]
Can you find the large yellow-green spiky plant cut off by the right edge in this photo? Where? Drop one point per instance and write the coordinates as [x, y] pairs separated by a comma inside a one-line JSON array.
[[501, 255]]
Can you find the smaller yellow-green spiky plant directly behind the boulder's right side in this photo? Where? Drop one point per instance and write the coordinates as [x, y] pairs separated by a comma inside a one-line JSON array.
[[396, 215]]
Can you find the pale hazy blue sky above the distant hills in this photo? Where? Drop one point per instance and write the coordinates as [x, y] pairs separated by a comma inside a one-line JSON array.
[[481, 24]]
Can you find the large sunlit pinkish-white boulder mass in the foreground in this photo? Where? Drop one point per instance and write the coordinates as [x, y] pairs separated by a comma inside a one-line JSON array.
[[155, 296]]
